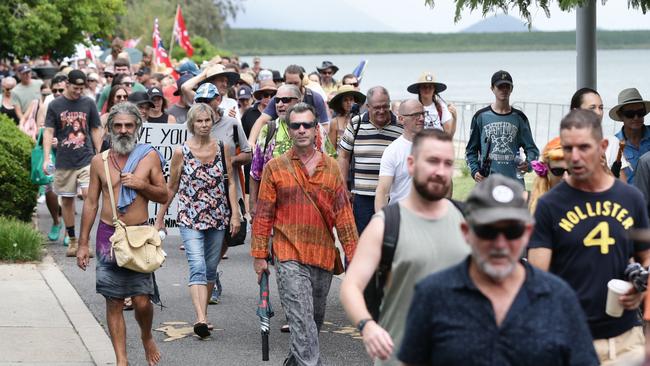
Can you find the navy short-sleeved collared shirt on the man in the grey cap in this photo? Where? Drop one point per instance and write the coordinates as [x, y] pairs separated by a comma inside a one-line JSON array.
[[451, 322]]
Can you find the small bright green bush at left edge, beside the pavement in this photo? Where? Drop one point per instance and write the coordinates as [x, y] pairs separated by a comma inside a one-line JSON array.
[[19, 241]]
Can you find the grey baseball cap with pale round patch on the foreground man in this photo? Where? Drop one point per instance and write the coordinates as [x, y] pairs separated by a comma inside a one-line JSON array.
[[496, 198]]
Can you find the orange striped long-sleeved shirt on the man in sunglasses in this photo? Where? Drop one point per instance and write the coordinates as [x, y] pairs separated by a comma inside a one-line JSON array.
[[299, 232]]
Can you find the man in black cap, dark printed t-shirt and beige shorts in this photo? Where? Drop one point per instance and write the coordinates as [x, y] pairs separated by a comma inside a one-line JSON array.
[[74, 120]]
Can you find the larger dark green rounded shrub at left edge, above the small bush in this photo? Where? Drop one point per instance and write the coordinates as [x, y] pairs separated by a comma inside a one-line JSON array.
[[16, 189]]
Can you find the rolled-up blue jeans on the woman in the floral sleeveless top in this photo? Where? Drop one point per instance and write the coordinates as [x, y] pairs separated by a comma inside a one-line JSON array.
[[203, 251]]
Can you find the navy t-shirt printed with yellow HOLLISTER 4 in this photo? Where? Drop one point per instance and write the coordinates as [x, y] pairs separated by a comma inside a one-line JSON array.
[[587, 232]]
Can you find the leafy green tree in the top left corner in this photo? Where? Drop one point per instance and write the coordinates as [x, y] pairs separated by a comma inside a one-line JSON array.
[[33, 28]]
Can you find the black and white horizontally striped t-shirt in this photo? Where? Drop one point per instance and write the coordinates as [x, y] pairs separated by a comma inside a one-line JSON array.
[[368, 148]]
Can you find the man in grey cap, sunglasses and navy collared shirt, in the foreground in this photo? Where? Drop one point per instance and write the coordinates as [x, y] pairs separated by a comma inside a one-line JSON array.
[[493, 308]]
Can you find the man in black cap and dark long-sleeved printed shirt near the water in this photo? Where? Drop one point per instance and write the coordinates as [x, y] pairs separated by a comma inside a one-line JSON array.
[[497, 133]]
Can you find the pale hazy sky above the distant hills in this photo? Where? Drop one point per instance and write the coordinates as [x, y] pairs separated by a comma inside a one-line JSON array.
[[411, 16]]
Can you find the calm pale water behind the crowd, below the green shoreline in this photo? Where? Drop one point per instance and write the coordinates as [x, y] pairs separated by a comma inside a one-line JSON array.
[[539, 76]]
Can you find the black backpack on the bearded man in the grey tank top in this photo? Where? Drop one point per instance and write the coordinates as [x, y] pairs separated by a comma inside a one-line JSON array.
[[374, 292]]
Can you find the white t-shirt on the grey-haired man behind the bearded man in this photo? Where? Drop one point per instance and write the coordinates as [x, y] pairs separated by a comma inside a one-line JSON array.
[[393, 164]]
